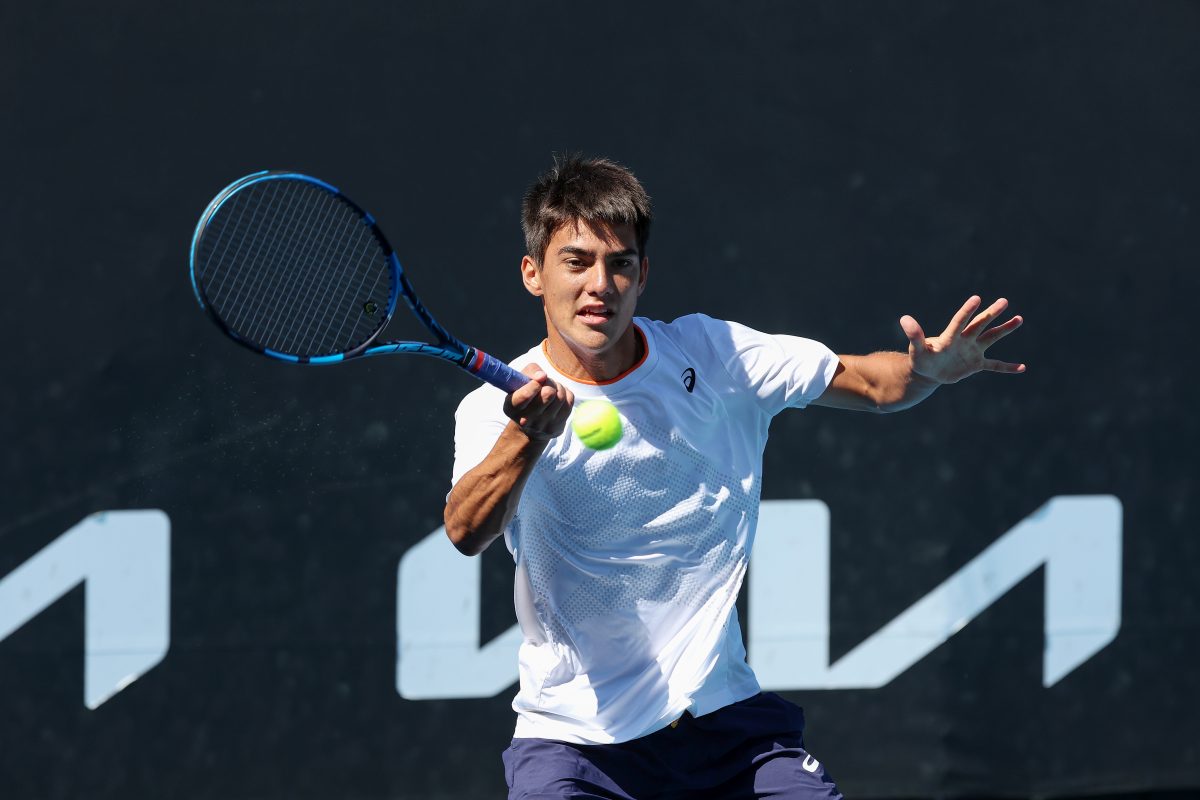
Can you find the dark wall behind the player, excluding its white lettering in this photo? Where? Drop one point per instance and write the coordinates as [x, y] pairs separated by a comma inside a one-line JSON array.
[[818, 169]]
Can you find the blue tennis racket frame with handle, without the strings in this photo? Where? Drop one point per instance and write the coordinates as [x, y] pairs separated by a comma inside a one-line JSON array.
[[448, 347]]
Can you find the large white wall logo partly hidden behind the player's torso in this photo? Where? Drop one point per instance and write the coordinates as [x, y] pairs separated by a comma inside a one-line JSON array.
[[1078, 540]]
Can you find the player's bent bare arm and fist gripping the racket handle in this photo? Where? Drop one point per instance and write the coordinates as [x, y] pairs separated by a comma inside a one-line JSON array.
[[484, 501]]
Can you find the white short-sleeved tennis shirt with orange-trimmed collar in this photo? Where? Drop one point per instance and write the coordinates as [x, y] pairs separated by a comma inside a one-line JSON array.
[[629, 561]]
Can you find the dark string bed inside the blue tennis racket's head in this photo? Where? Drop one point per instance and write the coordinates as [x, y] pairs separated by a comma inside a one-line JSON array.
[[292, 268]]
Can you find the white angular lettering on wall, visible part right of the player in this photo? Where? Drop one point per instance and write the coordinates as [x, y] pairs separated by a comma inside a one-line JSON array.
[[1077, 538]]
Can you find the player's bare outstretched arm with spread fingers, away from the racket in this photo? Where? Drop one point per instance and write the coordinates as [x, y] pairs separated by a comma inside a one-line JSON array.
[[891, 382]]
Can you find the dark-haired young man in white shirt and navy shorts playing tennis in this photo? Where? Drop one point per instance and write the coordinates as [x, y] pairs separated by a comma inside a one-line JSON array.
[[634, 681]]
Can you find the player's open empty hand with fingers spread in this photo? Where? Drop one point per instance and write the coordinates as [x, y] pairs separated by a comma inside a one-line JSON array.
[[959, 351]]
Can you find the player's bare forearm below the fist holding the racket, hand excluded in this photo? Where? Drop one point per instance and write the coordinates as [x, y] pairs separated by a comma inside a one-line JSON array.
[[484, 501]]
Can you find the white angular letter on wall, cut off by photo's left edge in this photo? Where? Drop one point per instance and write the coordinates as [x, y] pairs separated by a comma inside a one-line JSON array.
[[123, 558]]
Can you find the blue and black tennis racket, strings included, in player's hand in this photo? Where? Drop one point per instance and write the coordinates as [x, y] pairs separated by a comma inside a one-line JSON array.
[[291, 268]]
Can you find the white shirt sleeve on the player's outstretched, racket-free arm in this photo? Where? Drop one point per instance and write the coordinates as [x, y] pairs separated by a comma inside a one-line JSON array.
[[782, 371]]
